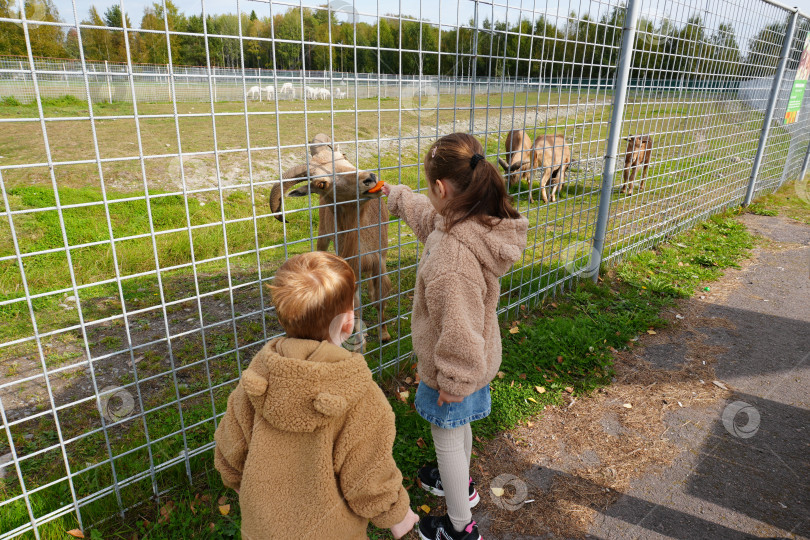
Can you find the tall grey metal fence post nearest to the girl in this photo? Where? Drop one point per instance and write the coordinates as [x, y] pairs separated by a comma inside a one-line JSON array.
[[622, 82]]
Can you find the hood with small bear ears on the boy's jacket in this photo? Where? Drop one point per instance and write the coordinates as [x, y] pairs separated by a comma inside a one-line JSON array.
[[301, 385]]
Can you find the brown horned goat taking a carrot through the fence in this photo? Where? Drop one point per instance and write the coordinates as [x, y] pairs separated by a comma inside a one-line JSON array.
[[362, 231]]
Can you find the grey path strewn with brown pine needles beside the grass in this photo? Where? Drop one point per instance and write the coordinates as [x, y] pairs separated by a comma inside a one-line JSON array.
[[704, 434]]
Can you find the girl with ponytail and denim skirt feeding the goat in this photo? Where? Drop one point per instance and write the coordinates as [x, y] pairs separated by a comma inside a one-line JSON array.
[[472, 235]]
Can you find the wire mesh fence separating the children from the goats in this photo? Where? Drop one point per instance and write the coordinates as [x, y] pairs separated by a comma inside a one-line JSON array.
[[138, 233]]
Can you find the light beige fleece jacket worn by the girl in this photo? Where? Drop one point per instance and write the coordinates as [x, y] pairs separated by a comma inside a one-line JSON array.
[[455, 327]]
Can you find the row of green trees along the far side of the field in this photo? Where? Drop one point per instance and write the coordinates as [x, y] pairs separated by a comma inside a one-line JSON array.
[[315, 39]]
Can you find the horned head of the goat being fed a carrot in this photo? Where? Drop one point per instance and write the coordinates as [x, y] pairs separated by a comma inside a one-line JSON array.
[[329, 175]]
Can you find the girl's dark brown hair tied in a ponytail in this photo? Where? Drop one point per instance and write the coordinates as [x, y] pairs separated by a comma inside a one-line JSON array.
[[480, 190]]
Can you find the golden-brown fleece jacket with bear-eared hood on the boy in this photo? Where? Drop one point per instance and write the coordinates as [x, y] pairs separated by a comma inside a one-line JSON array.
[[307, 440]]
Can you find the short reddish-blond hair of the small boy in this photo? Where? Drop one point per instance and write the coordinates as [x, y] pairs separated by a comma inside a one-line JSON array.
[[309, 291]]
